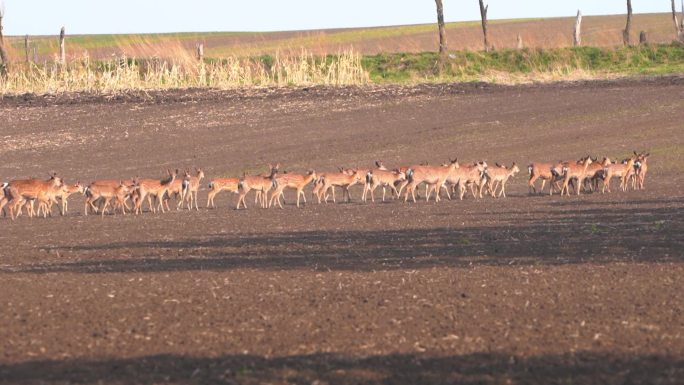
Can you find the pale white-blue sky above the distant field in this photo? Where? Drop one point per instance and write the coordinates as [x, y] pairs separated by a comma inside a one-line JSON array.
[[45, 17]]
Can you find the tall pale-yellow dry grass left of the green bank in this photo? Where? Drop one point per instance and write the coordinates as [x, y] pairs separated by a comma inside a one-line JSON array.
[[170, 66]]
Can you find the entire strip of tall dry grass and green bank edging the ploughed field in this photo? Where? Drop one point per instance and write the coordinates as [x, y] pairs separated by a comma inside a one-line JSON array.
[[180, 69]]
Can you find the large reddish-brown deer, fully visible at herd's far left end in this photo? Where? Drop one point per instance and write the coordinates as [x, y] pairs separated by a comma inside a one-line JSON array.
[[26, 191]]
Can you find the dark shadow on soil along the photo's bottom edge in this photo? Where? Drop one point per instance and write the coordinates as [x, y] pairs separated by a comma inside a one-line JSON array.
[[480, 368]]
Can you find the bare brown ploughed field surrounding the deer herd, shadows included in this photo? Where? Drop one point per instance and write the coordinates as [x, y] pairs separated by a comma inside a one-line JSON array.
[[527, 289]]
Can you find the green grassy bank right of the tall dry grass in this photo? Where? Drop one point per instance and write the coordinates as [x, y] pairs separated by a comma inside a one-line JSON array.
[[512, 65]]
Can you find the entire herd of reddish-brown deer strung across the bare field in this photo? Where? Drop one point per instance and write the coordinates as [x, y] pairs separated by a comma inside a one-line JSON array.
[[451, 178]]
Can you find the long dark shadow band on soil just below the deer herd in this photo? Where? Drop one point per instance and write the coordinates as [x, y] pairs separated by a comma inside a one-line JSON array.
[[563, 237]]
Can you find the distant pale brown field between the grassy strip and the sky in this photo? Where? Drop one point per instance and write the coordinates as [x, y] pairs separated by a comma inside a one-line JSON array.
[[599, 31]]
